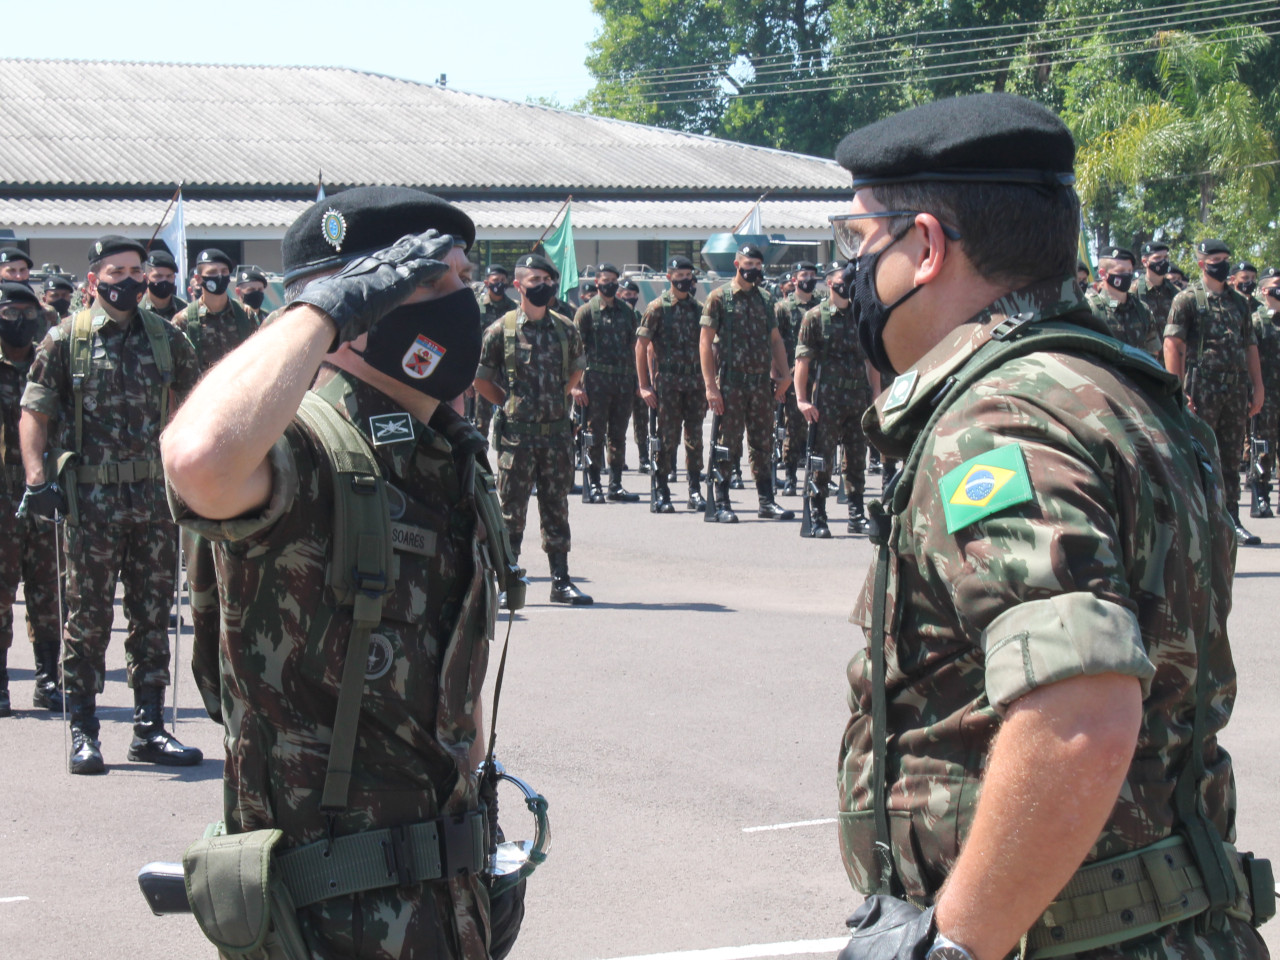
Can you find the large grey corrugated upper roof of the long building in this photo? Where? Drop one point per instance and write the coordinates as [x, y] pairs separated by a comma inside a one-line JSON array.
[[218, 126]]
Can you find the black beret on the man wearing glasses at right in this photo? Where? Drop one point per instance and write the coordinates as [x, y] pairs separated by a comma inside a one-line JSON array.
[[985, 138]]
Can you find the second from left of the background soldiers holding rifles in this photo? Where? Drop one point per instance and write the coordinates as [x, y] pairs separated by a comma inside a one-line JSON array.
[[668, 342]]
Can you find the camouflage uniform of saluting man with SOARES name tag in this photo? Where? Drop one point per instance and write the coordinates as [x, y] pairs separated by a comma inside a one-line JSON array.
[[282, 655]]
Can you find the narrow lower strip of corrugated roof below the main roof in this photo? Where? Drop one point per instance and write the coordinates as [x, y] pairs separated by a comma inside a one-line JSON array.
[[711, 216]]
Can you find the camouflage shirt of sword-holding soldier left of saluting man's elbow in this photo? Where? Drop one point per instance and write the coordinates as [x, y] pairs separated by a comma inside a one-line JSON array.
[[122, 409]]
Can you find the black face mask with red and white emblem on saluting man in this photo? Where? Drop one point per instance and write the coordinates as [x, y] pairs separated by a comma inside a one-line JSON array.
[[433, 348]]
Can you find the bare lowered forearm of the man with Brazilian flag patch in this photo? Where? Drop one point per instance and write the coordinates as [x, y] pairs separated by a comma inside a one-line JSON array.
[[1052, 784]]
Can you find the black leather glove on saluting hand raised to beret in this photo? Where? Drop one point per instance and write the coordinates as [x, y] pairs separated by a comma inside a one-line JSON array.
[[368, 289]]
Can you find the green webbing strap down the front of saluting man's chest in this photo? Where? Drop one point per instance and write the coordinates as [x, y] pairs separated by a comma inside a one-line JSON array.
[[362, 573]]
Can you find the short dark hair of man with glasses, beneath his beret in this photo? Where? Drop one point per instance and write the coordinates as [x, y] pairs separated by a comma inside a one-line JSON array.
[[1012, 234]]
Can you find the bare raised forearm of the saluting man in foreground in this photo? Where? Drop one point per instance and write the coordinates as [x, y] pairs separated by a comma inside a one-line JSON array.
[[217, 445]]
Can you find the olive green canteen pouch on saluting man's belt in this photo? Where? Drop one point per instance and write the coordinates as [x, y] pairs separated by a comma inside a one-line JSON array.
[[240, 900]]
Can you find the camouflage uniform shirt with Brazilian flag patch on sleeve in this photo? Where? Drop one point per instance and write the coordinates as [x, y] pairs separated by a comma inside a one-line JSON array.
[[1118, 559]]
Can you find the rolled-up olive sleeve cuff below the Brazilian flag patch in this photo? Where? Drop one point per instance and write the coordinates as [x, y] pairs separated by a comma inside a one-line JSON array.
[[1072, 636]]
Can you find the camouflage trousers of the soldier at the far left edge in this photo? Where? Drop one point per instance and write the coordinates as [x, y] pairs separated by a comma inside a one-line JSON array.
[[28, 557]]
